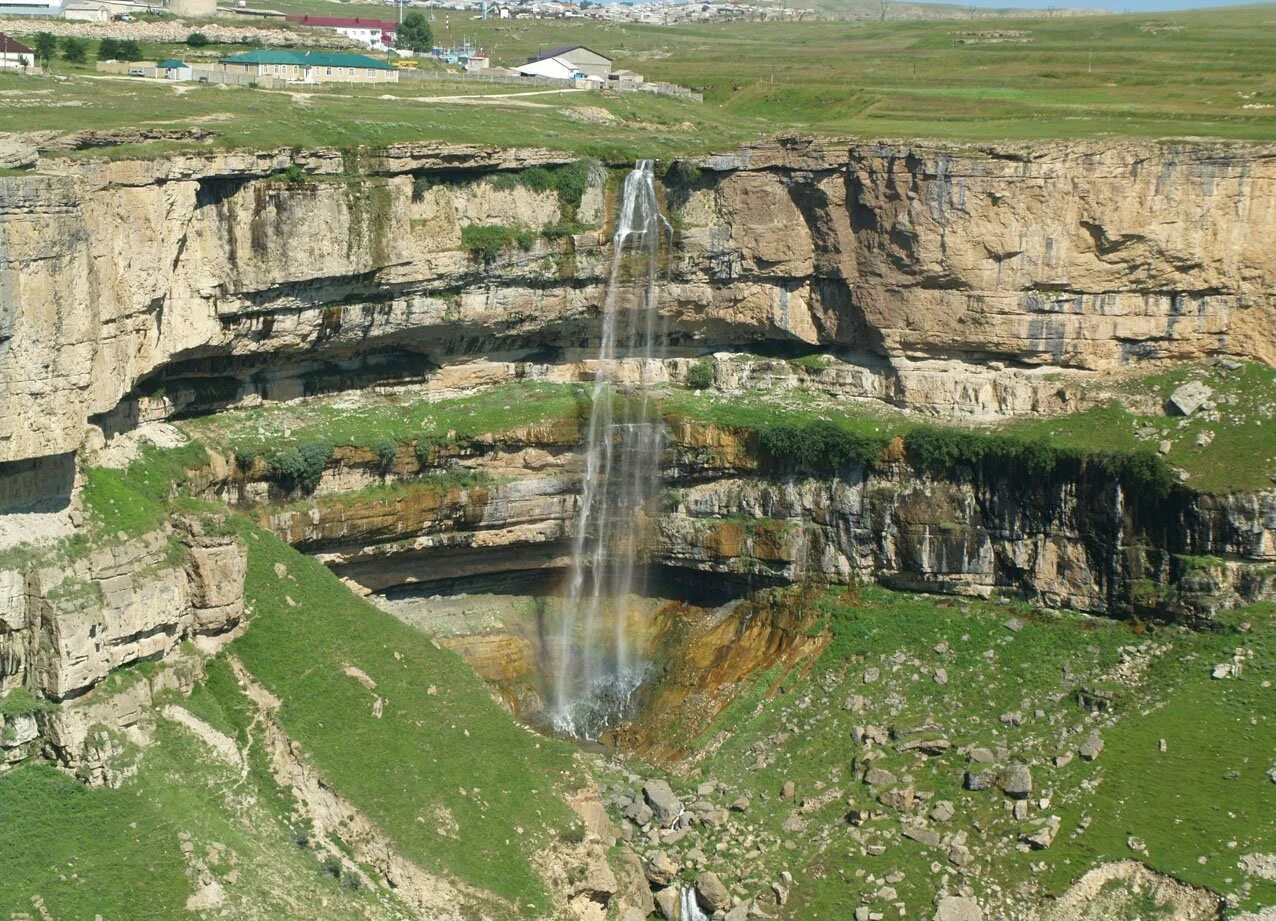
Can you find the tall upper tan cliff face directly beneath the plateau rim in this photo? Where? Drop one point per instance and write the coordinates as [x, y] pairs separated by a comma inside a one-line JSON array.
[[137, 290]]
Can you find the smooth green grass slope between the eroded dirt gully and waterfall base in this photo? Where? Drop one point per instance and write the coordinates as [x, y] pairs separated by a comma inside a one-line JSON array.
[[443, 771]]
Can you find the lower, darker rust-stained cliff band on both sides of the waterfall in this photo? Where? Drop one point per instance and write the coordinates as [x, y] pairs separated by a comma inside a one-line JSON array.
[[1075, 542]]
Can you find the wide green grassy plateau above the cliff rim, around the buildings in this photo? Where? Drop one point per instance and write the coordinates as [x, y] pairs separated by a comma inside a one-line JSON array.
[[1206, 75]]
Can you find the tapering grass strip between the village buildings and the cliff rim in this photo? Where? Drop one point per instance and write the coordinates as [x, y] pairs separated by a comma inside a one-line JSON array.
[[257, 119]]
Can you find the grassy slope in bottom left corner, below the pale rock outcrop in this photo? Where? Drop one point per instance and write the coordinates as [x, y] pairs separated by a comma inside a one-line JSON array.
[[183, 821]]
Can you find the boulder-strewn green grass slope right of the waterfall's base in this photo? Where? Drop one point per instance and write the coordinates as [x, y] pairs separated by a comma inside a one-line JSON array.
[[1208, 789]]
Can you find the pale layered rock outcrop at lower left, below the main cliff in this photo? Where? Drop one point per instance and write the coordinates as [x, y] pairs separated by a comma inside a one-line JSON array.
[[71, 633]]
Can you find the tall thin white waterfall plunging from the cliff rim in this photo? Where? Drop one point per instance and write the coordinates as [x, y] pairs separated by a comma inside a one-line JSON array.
[[597, 673]]
